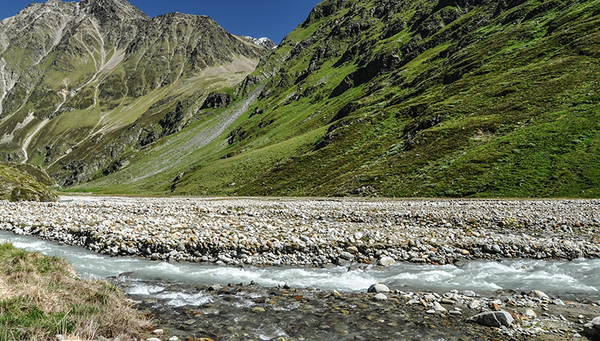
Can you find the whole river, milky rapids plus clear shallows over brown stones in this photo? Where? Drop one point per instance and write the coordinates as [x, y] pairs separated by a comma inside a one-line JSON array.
[[296, 303]]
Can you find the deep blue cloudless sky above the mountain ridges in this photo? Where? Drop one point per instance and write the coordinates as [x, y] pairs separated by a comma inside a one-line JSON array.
[[260, 18]]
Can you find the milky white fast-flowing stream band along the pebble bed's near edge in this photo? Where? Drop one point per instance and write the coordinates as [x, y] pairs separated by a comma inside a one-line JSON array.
[[580, 276]]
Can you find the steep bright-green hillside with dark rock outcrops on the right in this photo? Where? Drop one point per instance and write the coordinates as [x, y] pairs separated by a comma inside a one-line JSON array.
[[416, 98]]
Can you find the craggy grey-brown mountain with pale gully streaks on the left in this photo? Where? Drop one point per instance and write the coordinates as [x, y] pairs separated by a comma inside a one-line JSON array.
[[83, 83]]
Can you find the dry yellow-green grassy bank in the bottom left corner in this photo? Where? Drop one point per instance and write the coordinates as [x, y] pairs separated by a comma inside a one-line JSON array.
[[41, 297]]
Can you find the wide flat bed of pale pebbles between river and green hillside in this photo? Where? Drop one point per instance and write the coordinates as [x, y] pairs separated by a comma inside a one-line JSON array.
[[314, 232]]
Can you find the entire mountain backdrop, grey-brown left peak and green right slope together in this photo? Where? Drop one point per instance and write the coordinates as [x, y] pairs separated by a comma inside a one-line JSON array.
[[444, 98]]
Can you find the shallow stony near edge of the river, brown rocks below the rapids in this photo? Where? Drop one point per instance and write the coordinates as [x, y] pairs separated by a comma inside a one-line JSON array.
[[281, 313]]
